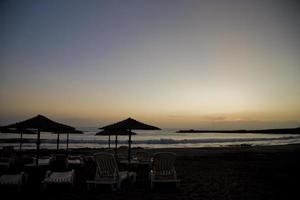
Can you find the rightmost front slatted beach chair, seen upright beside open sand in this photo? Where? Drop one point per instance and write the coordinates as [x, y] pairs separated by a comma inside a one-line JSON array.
[[163, 169]]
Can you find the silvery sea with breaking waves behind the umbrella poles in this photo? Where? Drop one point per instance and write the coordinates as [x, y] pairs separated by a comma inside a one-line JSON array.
[[167, 138]]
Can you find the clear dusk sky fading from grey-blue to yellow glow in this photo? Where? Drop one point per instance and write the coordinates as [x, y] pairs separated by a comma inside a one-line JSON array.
[[203, 64]]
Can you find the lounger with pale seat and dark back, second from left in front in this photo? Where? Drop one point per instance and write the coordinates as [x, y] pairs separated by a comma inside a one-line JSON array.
[[59, 173]]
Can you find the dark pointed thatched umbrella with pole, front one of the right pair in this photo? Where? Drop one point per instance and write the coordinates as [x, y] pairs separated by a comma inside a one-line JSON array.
[[129, 124]]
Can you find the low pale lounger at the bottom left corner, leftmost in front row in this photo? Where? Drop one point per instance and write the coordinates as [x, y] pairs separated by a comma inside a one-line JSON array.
[[14, 180]]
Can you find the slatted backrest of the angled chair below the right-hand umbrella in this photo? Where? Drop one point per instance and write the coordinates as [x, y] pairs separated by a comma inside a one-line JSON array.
[[106, 166]]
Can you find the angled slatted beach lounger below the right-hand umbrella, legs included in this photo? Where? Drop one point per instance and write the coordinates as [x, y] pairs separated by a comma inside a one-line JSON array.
[[107, 172]]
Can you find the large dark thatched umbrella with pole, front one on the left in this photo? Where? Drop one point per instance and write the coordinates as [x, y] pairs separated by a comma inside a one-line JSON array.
[[41, 123]]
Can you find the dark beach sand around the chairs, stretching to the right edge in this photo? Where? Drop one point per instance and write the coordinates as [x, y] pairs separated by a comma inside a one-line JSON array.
[[271, 172]]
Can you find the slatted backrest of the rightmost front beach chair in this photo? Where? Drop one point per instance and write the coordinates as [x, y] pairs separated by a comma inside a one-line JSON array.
[[163, 164]]
